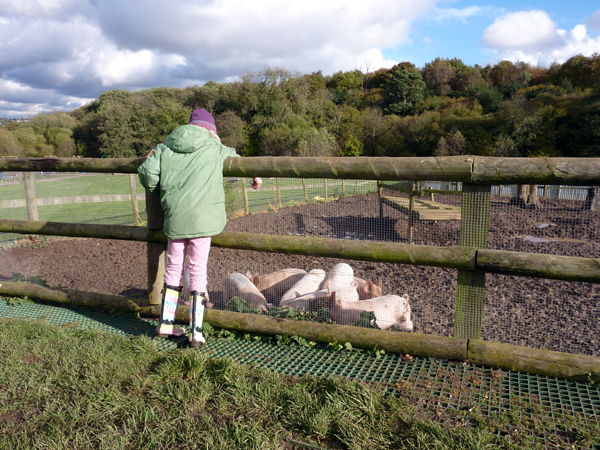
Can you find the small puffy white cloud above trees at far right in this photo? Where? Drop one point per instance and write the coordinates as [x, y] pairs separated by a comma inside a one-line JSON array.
[[532, 37]]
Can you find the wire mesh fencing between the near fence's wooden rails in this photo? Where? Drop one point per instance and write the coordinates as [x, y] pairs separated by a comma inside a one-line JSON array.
[[539, 313]]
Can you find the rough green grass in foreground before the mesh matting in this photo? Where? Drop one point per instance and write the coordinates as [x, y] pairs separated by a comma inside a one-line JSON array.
[[78, 389]]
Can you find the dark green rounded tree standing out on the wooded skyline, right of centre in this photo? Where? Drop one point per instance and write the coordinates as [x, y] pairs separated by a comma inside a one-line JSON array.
[[405, 89]]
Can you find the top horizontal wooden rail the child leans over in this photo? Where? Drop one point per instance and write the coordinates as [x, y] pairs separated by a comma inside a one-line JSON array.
[[467, 169]]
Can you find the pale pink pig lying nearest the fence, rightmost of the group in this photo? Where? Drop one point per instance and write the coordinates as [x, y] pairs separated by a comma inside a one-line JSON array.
[[390, 311]]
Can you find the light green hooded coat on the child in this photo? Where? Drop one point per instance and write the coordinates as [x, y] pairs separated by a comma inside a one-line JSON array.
[[186, 172]]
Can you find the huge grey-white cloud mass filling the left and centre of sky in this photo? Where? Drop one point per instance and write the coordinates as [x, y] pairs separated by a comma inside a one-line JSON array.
[[78, 48]]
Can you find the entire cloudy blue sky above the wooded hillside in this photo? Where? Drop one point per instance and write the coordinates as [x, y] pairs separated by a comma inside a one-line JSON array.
[[56, 55]]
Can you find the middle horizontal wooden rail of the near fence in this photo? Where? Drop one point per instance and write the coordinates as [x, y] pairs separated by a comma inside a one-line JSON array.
[[566, 268]]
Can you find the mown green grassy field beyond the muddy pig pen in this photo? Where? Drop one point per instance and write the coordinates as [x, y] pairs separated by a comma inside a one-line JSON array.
[[289, 192]]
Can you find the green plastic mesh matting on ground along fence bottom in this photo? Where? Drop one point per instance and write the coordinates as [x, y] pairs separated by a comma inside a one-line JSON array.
[[554, 413]]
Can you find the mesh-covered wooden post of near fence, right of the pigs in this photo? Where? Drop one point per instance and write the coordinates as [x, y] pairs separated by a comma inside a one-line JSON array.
[[470, 290]]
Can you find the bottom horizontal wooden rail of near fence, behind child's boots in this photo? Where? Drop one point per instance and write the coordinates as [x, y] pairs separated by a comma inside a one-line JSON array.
[[502, 356]]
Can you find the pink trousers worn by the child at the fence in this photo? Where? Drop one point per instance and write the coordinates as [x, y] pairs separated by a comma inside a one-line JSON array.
[[197, 250]]
